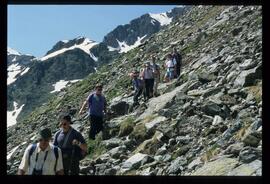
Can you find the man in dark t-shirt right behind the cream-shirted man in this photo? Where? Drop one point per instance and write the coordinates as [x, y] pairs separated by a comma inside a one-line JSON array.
[[72, 145]]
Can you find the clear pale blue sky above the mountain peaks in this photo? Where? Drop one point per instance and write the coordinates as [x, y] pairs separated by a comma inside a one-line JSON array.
[[34, 29]]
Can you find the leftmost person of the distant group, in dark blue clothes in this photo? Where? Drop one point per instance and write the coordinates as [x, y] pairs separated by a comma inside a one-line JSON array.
[[137, 85]]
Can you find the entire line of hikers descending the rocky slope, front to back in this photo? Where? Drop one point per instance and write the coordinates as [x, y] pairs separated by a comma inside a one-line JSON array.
[[61, 154]]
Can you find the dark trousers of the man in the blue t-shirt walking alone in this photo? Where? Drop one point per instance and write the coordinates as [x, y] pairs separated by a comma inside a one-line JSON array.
[[96, 125]]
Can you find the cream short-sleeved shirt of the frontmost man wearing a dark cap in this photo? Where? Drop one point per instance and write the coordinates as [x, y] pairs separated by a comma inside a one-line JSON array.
[[48, 166]]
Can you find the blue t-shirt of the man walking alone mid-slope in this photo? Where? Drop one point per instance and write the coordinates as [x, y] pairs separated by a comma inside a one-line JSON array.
[[96, 104]]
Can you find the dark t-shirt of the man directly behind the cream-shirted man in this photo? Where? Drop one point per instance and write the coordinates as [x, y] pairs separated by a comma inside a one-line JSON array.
[[67, 148]]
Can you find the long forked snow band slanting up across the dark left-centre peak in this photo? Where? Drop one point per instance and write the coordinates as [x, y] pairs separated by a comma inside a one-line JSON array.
[[86, 45]]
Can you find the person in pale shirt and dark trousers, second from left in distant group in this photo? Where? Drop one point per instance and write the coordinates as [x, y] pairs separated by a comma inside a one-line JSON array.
[[148, 77]]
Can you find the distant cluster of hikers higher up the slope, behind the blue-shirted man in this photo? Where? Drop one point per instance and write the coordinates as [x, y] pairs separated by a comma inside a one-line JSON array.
[[146, 81]]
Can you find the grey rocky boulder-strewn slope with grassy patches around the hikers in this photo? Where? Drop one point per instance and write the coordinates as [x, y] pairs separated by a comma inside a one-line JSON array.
[[206, 122]]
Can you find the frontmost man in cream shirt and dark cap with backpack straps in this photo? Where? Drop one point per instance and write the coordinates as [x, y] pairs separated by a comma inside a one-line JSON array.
[[42, 158]]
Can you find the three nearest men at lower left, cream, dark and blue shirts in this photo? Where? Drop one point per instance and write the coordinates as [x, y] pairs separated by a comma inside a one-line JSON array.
[[62, 156]]
